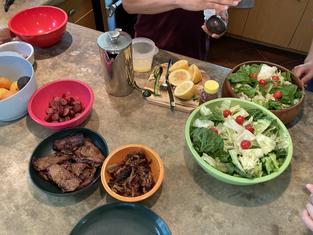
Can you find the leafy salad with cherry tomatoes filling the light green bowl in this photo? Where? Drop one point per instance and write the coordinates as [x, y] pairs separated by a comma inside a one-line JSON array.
[[240, 142]]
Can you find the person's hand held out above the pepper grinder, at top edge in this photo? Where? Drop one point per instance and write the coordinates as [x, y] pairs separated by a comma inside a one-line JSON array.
[[200, 5]]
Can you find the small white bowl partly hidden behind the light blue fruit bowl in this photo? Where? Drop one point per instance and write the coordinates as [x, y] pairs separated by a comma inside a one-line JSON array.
[[22, 48]]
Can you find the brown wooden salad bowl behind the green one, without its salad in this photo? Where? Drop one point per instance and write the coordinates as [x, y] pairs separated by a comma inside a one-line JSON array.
[[285, 115]]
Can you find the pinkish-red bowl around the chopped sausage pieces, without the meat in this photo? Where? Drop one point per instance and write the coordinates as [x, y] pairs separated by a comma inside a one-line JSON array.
[[39, 102]]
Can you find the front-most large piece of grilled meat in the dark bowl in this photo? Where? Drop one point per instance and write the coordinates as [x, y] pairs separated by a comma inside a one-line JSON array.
[[65, 180]]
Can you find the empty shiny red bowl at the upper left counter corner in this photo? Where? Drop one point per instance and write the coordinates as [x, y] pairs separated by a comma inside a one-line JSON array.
[[42, 26]]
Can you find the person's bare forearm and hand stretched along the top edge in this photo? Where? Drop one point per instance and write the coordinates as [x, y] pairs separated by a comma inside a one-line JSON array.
[[159, 6]]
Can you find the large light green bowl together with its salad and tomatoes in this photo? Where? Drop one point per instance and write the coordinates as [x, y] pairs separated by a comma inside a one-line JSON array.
[[238, 142]]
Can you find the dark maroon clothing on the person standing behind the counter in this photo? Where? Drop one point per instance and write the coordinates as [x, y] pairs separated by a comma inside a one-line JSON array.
[[177, 31]]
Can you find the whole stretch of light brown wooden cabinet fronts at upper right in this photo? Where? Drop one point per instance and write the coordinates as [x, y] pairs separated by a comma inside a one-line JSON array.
[[285, 24]]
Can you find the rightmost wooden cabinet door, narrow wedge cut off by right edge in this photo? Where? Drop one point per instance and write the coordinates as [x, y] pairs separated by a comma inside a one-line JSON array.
[[303, 36]]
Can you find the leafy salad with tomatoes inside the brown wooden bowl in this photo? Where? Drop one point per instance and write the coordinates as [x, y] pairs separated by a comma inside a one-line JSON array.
[[265, 85]]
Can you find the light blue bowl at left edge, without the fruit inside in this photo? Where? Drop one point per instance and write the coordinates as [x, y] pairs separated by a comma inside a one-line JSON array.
[[15, 106]]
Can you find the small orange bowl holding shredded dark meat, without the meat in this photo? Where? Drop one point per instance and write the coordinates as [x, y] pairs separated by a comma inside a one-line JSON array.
[[118, 155]]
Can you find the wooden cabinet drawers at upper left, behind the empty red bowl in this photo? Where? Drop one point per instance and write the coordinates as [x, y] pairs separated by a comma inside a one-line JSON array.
[[79, 12]]
